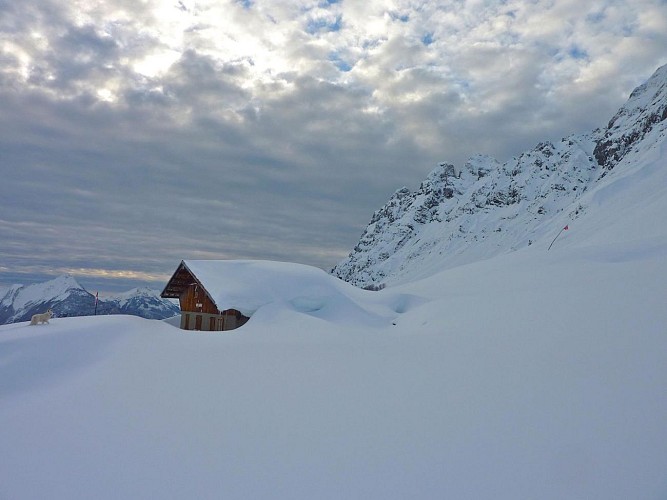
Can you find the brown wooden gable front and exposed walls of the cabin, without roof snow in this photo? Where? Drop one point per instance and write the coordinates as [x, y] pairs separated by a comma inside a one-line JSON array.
[[198, 310]]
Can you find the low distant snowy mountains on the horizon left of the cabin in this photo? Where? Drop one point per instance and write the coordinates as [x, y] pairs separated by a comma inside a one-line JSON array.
[[67, 298]]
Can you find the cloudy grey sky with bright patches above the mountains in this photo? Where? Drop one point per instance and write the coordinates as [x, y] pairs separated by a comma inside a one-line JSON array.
[[134, 134]]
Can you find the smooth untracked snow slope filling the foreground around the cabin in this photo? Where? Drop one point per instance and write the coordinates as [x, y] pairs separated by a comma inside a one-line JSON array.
[[535, 375]]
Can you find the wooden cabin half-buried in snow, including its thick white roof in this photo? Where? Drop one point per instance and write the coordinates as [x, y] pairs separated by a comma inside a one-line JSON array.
[[219, 295]]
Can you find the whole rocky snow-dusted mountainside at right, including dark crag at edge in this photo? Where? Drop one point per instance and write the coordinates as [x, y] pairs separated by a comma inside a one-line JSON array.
[[462, 215]]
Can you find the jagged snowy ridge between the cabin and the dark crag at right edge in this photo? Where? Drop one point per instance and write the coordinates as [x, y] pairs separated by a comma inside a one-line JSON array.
[[459, 216]]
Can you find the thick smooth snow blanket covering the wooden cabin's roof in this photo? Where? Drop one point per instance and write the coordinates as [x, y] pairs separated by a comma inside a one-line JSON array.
[[247, 285]]
